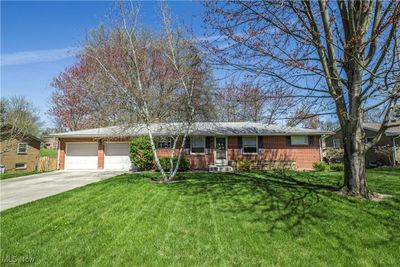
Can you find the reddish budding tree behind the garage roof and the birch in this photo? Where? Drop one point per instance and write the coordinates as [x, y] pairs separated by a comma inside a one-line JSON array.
[[86, 97]]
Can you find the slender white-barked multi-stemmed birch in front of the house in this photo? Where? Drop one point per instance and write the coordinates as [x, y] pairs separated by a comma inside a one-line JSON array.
[[162, 75]]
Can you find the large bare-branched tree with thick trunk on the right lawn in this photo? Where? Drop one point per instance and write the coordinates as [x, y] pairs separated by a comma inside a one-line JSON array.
[[344, 54]]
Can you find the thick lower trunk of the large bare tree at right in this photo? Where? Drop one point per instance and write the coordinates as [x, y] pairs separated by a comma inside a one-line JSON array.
[[355, 182]]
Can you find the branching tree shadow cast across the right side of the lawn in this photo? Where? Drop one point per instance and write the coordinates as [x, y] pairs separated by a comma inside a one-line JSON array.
[[296, 203]]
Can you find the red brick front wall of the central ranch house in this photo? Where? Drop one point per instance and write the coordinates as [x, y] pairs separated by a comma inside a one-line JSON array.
[[275, 148]]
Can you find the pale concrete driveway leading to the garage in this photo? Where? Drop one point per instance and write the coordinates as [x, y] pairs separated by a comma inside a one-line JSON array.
[[17, 191]]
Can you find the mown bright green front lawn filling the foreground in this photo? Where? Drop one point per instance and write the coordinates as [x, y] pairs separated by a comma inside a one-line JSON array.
[[280, 219]]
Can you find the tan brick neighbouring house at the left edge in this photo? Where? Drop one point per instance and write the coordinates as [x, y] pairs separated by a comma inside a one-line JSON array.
[[20, 154]]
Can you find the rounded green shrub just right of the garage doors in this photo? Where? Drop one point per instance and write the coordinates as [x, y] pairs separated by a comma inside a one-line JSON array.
[[141, 153]]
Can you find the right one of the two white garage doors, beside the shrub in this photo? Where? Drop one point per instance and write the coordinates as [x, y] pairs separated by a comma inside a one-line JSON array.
[[117, 156]]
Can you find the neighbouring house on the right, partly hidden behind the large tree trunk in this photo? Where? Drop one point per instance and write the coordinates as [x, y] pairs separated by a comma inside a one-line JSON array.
[[386, 152]]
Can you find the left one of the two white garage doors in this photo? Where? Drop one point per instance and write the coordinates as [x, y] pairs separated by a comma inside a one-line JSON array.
[[81, 156]]
